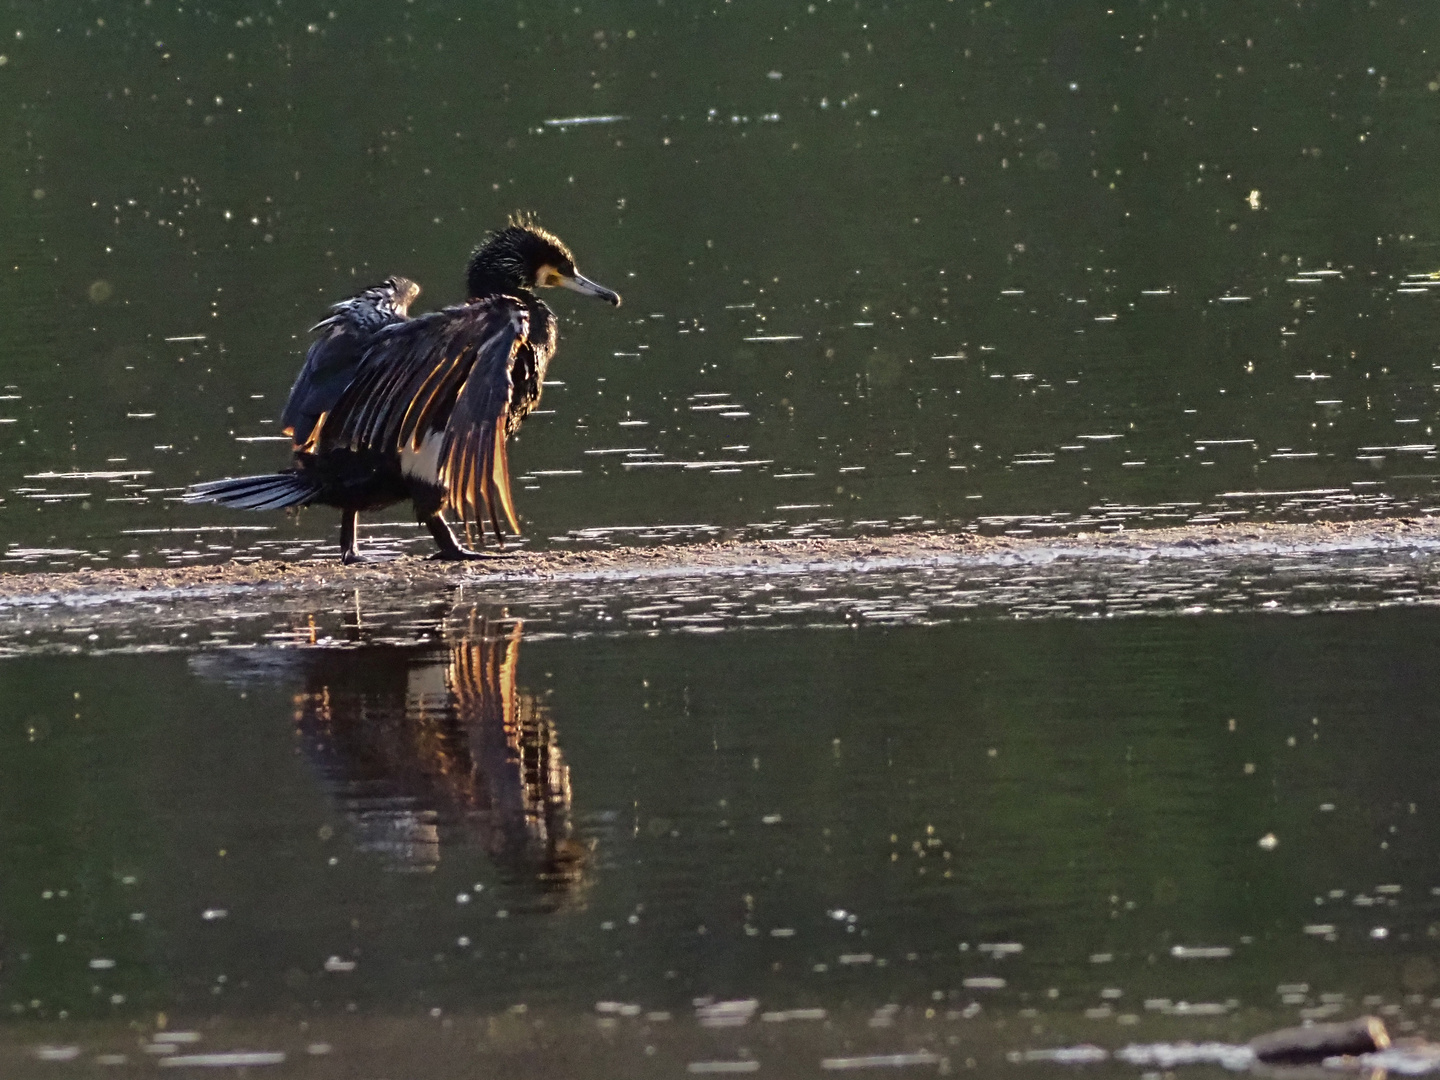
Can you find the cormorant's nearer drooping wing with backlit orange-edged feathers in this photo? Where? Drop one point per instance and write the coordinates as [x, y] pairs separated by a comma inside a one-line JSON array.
[[436, 391]]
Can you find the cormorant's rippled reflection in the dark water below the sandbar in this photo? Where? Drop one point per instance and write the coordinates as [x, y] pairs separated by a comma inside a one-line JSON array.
[[418, 747]]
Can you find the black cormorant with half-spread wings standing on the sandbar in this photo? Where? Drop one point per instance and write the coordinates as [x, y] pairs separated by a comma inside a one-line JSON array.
[[391, 408]]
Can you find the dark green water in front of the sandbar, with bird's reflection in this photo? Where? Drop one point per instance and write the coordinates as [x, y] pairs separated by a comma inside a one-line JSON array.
[[1023, 827]]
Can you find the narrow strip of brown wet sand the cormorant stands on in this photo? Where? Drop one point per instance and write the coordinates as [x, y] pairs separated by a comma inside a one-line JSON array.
[[732, 559]]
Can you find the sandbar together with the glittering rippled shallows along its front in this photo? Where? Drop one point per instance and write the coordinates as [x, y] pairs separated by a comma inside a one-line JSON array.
[[909, 580]]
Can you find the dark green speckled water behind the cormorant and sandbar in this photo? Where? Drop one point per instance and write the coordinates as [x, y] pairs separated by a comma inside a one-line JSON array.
[[984, 231]]
